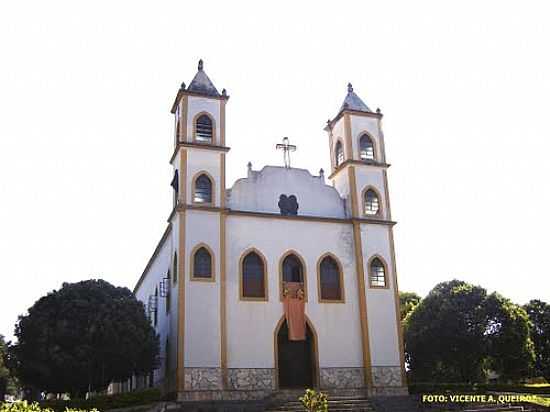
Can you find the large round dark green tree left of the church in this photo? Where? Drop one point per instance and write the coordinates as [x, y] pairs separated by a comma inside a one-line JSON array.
[[82, 337]]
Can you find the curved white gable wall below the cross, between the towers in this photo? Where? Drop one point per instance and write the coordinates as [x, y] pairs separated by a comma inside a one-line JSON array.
[[260, 192]]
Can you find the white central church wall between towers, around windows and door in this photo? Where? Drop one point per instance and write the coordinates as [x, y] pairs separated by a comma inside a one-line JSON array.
[[251, 325]]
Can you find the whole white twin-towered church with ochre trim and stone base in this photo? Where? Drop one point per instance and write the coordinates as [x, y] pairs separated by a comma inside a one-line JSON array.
[[215, 285]]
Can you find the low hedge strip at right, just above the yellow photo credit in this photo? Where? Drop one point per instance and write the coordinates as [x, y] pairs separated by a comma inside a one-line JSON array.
[[416, 388]]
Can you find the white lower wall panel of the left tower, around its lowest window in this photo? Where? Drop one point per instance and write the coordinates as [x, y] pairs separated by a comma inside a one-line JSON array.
[[202, 310]]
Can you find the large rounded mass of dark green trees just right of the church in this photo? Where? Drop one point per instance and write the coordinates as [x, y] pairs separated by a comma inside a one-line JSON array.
[[458, 332]]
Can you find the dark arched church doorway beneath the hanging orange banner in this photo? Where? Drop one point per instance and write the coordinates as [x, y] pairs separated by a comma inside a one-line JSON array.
[[296, 361]]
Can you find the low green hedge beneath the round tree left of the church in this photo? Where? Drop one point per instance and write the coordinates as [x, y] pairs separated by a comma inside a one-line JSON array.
[[107, 402]]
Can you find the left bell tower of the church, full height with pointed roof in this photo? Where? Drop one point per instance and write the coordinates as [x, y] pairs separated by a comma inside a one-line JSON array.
[[198, 224]]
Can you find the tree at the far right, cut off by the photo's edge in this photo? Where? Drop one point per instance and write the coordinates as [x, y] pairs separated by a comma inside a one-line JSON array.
[[539, 314]]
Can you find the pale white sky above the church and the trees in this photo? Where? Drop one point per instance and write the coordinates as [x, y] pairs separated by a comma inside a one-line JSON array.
[[86, 131]]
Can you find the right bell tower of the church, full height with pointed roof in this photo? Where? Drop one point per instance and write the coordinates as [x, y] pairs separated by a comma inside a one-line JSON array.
[[359, 173]]
